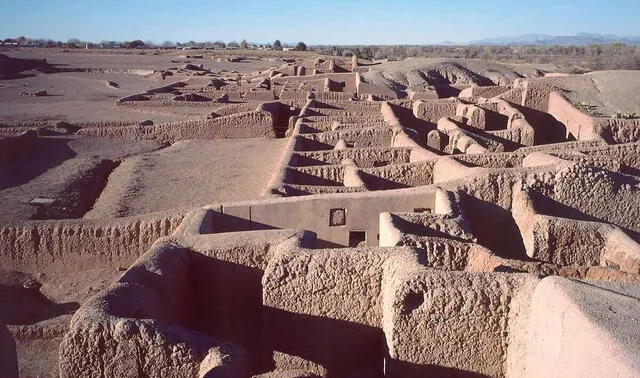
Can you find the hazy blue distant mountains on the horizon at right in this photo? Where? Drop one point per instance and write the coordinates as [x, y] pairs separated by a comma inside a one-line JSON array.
[[545, 39]]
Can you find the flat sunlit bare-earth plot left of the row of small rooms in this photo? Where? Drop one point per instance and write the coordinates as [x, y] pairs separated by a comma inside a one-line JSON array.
[[189, 174]]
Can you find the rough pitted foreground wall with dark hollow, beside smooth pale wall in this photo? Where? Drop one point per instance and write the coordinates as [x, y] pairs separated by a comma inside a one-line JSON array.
[[440, 311]]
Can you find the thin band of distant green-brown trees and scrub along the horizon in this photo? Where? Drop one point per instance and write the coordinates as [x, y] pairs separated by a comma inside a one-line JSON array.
[[612, 56]]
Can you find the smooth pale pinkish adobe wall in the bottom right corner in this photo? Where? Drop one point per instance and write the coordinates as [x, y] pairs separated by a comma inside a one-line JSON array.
[[583, 329]]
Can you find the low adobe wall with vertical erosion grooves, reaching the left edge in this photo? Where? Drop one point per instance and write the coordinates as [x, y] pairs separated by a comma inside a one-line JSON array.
[[75, 245]]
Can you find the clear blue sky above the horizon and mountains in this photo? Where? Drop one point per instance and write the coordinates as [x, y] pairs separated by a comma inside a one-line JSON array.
[[315, 22]]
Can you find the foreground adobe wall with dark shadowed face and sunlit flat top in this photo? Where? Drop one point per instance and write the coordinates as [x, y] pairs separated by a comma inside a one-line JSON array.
[[227, 270]]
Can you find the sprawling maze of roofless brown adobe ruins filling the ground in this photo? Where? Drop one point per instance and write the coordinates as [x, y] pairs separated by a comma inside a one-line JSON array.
[[306, 216]]
